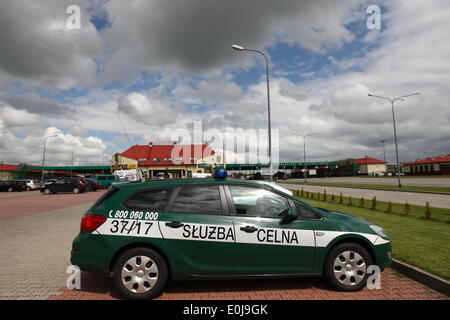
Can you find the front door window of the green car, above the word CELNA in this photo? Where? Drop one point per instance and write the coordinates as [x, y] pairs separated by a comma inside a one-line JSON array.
[[257, 202]]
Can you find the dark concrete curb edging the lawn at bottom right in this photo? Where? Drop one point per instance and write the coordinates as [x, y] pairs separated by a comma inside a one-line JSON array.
[[439, 284]]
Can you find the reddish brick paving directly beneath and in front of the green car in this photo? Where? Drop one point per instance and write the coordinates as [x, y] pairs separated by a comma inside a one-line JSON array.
[[393, 287]]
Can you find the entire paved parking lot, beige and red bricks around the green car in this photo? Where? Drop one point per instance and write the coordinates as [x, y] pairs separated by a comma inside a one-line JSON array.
[[36, 232]]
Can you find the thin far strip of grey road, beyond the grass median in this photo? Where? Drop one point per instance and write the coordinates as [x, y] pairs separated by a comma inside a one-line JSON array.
[[421, 182]]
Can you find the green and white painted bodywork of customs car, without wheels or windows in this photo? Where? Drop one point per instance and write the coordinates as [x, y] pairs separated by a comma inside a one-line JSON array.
[[213, 245]]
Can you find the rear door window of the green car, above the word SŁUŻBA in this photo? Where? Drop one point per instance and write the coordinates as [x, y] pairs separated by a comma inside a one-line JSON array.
[[198, 199]]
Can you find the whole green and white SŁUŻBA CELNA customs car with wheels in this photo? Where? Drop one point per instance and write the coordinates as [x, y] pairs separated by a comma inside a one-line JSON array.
[[143, 234]]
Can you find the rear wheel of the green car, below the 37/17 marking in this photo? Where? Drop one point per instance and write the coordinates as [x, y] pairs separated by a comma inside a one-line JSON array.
[[140, 274]]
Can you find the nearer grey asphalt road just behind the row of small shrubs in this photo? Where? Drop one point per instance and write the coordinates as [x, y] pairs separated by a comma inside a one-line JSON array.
[[435, 200]]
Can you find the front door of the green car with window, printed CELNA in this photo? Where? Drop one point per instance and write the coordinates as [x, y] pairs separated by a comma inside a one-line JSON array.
[[267, 242]]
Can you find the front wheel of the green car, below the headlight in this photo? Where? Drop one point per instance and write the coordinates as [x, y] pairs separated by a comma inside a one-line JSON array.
[[346, 267]]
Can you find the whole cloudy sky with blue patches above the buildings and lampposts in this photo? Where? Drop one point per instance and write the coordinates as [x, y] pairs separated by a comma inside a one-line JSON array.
[[164, 64]]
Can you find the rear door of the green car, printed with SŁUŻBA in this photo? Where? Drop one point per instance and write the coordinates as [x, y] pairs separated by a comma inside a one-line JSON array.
[[198, 230]]
